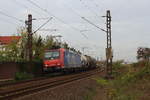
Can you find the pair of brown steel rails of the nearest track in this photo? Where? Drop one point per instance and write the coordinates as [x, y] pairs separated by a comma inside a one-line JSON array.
[[32, 89]]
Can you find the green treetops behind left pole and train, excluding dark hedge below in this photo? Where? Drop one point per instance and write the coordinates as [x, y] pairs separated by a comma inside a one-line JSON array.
[[16, 51]]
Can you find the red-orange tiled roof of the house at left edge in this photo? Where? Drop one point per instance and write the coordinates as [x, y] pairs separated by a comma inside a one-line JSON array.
[[4, 40]]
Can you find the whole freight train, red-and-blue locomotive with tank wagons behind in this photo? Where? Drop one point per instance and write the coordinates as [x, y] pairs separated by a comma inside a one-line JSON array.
[[66, 60]]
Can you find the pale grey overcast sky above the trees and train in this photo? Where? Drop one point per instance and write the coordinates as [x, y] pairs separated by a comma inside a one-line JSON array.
[[130, 23]]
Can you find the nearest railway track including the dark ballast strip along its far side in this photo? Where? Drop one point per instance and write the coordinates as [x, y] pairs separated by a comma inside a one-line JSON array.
[[21, 90]]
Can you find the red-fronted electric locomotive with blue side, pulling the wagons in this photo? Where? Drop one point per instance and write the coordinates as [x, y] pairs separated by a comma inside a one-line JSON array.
[[59, 59]]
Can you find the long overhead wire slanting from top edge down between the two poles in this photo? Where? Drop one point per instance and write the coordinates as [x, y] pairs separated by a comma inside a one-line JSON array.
[[54, 16]]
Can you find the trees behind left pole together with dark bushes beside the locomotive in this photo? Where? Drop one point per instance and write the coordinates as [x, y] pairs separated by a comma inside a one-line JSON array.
[[16, 52]]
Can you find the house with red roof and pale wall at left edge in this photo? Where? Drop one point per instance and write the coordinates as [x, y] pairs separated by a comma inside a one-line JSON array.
[[6, 40]]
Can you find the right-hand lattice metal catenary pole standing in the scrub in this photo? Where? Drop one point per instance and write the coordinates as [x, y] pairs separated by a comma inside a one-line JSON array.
[[109, 55]]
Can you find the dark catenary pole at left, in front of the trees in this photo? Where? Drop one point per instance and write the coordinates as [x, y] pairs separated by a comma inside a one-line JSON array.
[[29, 41]]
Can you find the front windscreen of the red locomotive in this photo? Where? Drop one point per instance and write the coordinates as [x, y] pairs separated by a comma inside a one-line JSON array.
[[51, 55]]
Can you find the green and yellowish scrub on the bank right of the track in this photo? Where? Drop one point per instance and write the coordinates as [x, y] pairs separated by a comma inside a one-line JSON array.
[[132, 83]]
